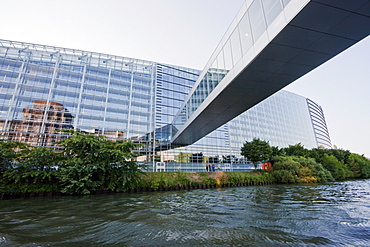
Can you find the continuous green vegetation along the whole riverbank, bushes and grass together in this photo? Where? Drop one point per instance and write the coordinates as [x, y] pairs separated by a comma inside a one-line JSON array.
[[84, 164]]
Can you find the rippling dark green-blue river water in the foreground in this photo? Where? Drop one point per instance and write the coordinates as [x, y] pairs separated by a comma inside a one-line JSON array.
[[334, 214]]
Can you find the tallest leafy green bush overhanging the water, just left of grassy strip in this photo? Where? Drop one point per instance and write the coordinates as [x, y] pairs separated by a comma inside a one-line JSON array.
[[91, 162]]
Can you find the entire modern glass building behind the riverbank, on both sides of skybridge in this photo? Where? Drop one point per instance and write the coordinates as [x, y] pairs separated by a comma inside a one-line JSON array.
[[44, 89]]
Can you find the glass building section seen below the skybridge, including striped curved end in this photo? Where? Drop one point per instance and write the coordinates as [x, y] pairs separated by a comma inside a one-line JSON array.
[[283, 119]]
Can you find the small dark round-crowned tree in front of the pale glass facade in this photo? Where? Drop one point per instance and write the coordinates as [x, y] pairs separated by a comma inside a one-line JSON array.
[[256, 150]]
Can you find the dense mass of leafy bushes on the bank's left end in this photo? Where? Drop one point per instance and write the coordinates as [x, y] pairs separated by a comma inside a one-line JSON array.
[[81, 164]]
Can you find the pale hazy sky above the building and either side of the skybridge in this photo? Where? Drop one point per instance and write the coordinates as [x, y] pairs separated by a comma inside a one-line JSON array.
[[185, 33]]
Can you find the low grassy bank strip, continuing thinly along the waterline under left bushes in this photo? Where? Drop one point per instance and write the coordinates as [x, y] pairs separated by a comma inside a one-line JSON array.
[[166, 181]]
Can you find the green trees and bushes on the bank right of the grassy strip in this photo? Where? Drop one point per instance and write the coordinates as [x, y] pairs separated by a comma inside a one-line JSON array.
[[296, 164]]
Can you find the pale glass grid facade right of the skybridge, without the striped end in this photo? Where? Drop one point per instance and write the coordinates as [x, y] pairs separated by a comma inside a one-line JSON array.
[[282, 119]]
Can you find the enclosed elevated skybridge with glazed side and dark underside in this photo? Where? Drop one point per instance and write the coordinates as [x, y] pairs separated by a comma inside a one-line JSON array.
[[269, 44]]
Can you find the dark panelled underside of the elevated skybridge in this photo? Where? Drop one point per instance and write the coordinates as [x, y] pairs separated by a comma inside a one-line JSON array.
[[321, 30]]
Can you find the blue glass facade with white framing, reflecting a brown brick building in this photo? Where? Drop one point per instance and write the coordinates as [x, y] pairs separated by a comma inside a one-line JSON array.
[[44, 89]]
